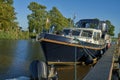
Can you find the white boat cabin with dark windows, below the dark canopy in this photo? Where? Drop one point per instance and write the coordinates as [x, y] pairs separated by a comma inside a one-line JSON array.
[[83, 34]]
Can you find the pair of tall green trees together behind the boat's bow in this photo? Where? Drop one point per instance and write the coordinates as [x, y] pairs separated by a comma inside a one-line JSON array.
[[40, 19]]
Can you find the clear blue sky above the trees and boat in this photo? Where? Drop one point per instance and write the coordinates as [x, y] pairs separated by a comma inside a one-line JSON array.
[[82, 9]]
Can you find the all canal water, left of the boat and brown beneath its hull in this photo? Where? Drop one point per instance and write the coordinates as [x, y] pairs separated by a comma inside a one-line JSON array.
[[17, 55]]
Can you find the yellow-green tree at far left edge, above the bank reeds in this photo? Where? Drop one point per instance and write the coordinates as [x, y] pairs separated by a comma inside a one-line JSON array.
[[7, 20]]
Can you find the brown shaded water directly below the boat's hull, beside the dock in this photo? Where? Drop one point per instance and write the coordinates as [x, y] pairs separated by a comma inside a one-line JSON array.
[[68, 72]]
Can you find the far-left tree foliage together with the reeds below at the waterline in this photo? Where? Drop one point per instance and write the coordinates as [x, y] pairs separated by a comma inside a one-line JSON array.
[[8, 25]]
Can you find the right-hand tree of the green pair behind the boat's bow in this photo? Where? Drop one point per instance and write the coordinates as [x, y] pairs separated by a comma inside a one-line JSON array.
[[57, 19]]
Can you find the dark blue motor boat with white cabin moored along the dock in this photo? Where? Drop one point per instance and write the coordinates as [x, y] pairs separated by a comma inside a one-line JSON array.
[[74, 45]]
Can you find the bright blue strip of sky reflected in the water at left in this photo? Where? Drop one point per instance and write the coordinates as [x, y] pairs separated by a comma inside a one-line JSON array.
[[19, 58]]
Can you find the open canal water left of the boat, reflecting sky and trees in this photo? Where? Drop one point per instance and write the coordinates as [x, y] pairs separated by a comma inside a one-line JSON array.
[[16, 56]]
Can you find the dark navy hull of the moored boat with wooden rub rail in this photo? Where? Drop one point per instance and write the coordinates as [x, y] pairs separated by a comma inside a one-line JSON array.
[[57, 51]]
